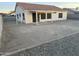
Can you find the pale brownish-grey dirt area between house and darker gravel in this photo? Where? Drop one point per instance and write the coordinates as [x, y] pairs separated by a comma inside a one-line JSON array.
[[18, 36]]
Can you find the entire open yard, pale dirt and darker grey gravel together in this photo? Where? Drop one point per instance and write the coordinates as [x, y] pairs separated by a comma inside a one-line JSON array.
[[49, 38]]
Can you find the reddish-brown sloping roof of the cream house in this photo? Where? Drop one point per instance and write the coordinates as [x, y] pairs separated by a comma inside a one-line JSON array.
[[29, 6]]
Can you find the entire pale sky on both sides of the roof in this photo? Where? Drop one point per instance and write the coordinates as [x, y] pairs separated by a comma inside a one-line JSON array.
[[10, 6]]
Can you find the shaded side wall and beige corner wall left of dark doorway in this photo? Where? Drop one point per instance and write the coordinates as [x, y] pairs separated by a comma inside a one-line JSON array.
[[28, 15]]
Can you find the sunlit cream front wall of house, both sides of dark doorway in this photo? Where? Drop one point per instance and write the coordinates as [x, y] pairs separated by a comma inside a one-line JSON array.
[[28, 16]]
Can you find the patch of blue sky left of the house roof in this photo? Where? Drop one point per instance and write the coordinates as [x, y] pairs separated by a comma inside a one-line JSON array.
[[7, 6]]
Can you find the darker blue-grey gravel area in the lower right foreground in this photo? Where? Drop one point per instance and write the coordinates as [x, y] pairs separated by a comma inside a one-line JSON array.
[[67, 46]]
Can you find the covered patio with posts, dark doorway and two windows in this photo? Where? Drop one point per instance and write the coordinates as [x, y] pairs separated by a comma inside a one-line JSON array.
[[42, 15]]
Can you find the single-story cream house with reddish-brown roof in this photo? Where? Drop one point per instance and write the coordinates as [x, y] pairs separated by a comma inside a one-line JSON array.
[[30, 13]]
